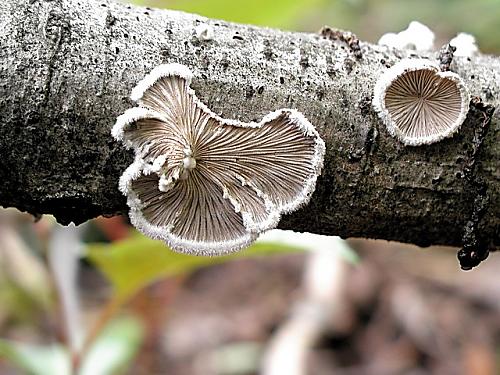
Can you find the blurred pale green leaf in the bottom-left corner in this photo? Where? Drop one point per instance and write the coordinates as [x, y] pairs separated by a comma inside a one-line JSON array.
[[36, 359]]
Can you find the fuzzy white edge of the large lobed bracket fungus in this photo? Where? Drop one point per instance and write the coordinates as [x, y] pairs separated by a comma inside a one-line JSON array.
[[144, 166]]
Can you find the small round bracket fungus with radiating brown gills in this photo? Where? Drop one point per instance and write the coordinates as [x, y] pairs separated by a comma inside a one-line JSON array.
[[418, 103]]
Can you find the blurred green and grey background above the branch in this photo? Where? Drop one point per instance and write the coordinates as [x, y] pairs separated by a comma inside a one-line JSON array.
[[369, 19]]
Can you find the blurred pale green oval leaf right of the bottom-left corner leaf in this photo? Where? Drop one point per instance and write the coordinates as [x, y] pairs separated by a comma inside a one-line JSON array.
[[114, 349]]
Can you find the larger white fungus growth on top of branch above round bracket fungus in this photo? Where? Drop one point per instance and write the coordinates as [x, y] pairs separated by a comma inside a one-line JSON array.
[[417, 36]]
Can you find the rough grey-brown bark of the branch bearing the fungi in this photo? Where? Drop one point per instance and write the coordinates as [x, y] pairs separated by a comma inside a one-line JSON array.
[[67, 68]]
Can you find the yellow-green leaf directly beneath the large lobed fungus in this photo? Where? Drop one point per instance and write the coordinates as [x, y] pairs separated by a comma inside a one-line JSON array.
[[133, 263]]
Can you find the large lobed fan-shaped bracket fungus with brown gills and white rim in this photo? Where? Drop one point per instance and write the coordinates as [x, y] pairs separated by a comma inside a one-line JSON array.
[[206, 185]]
